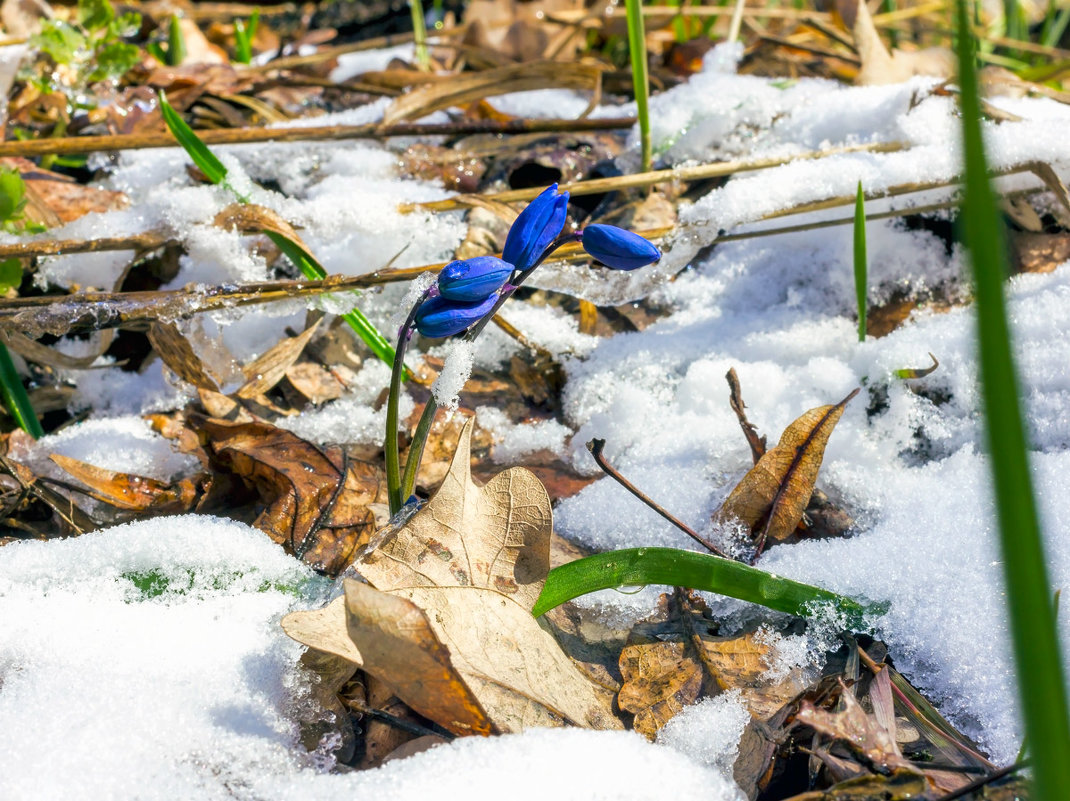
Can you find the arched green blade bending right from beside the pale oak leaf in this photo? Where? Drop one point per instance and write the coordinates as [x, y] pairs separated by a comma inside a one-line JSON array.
[[641, 566]]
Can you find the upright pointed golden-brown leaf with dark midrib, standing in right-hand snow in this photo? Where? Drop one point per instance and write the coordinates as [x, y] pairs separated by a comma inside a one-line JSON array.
[[775, 492]]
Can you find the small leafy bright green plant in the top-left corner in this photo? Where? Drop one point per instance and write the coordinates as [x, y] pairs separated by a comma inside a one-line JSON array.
[[93, 48]]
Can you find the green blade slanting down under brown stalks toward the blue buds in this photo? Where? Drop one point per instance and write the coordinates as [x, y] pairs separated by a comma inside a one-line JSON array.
[[216, 173]]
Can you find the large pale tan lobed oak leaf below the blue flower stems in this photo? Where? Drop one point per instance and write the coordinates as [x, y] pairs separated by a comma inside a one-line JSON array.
[[447, 622]]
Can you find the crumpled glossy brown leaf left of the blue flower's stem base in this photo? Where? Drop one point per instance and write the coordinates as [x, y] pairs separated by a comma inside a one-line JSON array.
[[317, 499]]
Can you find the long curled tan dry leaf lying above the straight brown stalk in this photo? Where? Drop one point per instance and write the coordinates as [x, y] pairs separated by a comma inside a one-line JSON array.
[[469, 87]]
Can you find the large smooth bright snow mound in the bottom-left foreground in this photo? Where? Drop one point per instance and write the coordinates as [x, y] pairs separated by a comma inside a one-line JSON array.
[[151, 658]]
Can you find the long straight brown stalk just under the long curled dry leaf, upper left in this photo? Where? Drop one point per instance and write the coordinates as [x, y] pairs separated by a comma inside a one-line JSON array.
[[65, 146]]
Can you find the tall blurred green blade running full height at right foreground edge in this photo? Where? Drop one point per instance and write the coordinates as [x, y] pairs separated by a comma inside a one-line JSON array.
[[1041, 679]]
